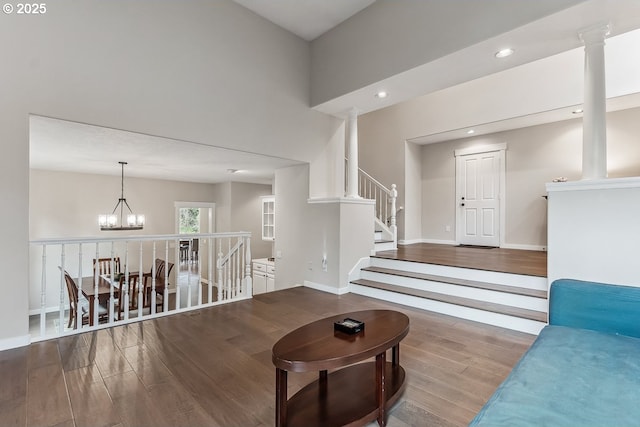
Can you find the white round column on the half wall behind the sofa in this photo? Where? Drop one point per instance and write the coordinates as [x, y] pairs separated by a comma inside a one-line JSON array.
[[594, 126]]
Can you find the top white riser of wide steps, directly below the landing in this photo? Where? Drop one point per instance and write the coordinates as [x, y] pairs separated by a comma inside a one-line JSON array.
[[530, 282]]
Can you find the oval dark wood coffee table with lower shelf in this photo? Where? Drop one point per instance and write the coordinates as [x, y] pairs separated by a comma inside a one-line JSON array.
[[354, 395]]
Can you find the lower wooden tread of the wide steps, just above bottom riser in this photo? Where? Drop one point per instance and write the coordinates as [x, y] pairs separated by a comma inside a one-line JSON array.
[[465, 302]]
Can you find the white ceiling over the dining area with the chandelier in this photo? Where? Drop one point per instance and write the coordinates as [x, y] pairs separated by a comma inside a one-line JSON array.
[[62, 145]]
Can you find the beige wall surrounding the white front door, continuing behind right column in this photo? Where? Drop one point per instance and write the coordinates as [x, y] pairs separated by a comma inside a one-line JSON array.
[[535, 155]]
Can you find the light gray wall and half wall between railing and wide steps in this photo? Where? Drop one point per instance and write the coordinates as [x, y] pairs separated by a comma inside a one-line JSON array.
[[306, 231]]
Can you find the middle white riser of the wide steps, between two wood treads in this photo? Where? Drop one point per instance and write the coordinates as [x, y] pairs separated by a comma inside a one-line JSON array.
[[521, 301]]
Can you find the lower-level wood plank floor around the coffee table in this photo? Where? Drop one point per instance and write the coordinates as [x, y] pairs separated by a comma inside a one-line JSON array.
[[212, 367]]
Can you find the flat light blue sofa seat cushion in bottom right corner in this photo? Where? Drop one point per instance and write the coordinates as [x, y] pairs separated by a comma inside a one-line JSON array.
[[570, 377]]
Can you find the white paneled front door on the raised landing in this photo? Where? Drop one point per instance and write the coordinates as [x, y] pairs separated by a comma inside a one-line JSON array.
[[479, 186]]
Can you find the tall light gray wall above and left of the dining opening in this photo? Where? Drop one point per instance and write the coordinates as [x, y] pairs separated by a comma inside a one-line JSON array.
[[212, 73]]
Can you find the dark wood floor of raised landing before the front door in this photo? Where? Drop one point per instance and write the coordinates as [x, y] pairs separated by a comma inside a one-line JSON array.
[[531, 263]]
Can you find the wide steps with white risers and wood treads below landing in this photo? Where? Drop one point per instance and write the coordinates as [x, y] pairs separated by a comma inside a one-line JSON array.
[[506, 300]]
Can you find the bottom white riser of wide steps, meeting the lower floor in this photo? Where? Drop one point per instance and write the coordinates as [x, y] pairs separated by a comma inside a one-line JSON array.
[[490, 318]]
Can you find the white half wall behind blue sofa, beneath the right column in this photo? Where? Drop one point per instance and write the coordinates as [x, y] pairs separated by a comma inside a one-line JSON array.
[[593, 231]]
